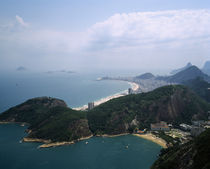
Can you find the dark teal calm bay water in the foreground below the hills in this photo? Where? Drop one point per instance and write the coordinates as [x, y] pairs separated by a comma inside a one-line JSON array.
[[99, 153]]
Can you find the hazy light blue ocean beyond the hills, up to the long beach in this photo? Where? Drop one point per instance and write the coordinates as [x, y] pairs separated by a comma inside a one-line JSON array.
[[76, 89]]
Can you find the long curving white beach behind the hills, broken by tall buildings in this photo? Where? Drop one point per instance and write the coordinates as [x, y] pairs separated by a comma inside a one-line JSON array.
[[135, 87]]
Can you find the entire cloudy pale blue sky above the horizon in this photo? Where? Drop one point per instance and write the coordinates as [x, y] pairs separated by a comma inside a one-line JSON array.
[[150, 35]]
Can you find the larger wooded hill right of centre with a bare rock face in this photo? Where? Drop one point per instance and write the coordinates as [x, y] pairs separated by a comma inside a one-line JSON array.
[[173, 104]]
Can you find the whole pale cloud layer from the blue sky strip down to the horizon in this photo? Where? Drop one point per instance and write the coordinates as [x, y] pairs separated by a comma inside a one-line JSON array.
[[122, 39]]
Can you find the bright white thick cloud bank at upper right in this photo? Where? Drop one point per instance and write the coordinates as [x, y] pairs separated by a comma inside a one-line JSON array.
[[143, 28]]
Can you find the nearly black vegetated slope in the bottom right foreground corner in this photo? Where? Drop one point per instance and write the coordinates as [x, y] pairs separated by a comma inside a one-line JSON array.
[[191, 155]]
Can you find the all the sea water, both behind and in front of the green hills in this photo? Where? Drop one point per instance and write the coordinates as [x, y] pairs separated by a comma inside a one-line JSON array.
[[76, 90]]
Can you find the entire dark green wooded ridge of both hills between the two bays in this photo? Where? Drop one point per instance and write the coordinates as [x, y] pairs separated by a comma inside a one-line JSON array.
[[51, 119]]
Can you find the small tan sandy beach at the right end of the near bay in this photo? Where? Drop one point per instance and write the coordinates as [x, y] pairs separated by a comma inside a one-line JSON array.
[[153, 138]]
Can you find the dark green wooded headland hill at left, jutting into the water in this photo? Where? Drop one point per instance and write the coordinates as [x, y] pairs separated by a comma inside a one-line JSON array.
[[49, 118]]
